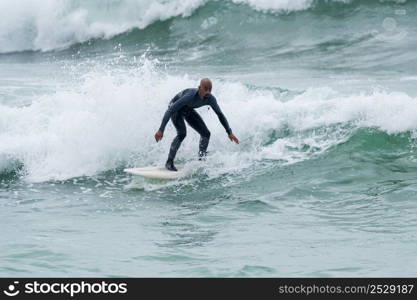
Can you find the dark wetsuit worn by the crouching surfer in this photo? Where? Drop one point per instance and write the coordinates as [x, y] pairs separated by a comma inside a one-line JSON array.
[[182, 107]]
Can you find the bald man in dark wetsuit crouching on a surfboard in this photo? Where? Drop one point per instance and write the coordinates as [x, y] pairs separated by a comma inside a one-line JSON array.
[[182, 107]]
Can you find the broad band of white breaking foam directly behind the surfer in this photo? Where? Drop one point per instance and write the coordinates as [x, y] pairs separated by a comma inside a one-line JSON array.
[[109, 121]]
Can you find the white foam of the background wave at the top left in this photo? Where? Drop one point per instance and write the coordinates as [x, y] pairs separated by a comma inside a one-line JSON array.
[[49, 24]]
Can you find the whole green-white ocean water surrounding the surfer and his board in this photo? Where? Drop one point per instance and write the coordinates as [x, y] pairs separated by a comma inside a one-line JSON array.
[[322, 95]]
